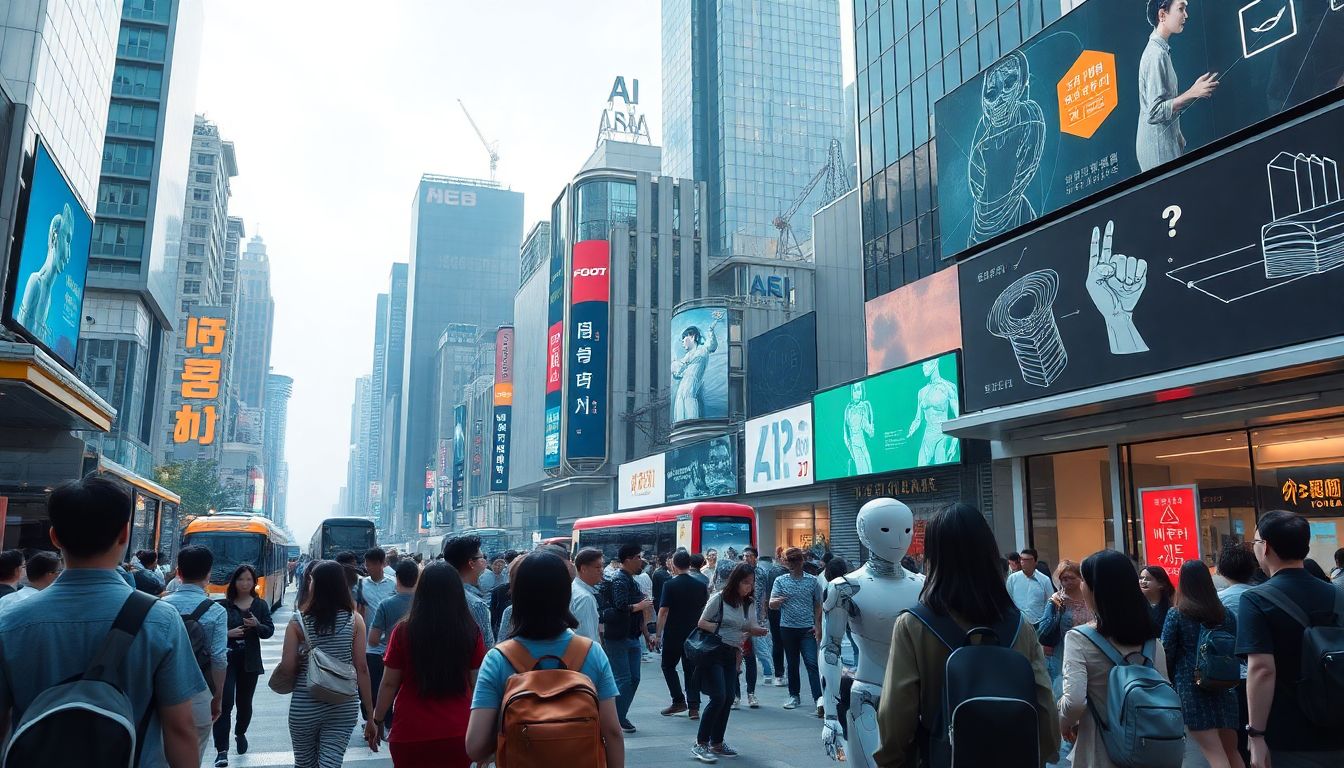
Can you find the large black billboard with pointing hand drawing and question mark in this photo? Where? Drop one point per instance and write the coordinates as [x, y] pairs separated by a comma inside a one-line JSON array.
[[1240, 254]]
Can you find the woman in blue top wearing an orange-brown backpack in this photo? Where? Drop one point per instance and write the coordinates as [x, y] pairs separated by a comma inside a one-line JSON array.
[[541, 644]]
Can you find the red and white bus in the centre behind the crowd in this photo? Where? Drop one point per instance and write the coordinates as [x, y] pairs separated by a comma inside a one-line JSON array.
[[696, 528]]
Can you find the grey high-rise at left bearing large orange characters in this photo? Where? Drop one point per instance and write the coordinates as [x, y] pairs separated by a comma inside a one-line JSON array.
[[204, 291]]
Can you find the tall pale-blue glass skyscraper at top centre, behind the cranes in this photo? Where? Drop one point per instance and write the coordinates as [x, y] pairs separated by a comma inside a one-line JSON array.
[[752, 102]]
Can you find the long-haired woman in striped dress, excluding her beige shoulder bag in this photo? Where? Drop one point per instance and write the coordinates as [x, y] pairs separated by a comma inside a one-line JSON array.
[[322, 731]]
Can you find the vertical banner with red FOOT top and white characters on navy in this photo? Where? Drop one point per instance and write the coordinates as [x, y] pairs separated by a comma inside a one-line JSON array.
[[591, 291]]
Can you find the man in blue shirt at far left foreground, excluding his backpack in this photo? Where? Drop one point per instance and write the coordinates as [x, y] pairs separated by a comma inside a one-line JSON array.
[[54, 636]]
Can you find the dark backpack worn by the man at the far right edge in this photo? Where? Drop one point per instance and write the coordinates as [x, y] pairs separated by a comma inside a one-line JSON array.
[[1320, 689]]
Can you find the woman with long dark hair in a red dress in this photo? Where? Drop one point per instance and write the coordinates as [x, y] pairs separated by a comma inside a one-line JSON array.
[[431, 669]]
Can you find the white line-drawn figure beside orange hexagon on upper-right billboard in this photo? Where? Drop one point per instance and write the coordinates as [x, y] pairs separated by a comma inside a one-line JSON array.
[[1006, 150]]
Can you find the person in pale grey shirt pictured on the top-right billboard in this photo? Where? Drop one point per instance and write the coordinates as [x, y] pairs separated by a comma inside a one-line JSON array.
[[1161, 104]]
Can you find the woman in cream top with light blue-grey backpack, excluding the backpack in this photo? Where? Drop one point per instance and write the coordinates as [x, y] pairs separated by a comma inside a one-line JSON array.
[[1124, 626]]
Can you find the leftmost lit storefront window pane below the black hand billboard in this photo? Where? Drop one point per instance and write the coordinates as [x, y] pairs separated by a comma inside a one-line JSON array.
[[1072, 510]]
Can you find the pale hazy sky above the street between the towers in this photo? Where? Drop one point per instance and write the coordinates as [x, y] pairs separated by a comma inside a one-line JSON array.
[[338, 107]]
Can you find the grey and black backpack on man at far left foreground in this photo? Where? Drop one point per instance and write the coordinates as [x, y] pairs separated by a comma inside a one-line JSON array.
[[91, 705]]
